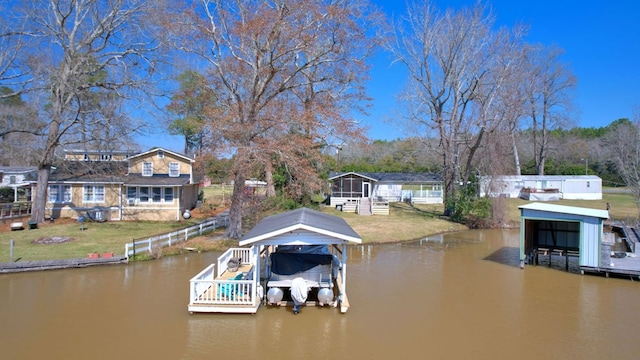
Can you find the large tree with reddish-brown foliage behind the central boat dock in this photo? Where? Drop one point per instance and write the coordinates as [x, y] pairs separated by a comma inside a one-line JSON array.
[[284, 72]]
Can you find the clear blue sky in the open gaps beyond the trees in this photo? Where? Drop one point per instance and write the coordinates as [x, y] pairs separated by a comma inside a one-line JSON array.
[[602, 47]]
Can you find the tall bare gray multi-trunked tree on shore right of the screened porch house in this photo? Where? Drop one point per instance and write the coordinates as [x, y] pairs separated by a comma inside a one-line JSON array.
[[458, 69]]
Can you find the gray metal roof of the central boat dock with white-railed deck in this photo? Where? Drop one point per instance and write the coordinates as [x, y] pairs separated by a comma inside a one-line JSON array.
[[301, 219]]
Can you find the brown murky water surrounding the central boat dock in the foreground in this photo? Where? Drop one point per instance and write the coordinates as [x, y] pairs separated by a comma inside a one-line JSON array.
[[458, 296]]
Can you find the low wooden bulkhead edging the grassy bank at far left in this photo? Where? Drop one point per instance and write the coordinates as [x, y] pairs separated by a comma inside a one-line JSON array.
[[22, 266]]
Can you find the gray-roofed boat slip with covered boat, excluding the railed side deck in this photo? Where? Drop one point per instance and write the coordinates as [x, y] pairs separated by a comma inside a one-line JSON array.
[[305, 247]]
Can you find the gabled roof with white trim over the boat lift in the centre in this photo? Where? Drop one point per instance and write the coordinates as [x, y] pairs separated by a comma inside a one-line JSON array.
[[287, 227]]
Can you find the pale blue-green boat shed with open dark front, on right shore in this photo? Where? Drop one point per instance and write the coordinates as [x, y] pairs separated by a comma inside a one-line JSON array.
[[562, 230]]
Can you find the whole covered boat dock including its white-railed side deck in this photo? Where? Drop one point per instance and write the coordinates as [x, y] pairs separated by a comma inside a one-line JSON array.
[[300, 252]]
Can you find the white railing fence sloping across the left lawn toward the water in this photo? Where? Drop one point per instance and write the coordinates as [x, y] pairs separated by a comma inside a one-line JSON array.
[[147, 245]]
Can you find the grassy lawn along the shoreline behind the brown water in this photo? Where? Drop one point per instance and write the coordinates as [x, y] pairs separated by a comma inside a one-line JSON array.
[[405, 222]]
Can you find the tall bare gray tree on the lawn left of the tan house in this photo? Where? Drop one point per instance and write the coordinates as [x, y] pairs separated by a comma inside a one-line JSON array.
[[84, 46]]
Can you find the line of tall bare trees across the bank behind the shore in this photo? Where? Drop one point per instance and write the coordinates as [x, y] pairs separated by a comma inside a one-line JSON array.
[[270, 88]]
